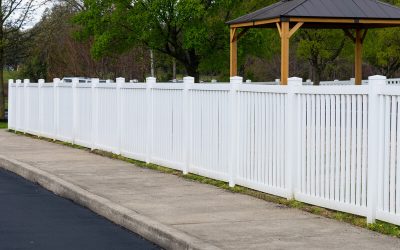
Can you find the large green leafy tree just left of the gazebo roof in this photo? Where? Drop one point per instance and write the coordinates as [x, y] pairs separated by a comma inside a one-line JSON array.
[[191, 31]]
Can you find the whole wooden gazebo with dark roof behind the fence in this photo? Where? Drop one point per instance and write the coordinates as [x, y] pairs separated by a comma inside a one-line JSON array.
[[355, 17]]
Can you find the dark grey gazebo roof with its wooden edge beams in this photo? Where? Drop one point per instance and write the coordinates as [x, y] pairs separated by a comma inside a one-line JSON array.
[[368, 13]]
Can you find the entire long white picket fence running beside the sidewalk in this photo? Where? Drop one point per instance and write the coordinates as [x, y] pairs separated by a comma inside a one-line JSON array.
[[332, 146]]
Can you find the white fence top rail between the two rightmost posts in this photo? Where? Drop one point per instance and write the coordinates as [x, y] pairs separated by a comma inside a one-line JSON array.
[[332, 90]]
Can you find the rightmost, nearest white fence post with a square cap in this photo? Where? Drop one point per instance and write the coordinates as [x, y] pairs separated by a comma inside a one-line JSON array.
[[374, 138]]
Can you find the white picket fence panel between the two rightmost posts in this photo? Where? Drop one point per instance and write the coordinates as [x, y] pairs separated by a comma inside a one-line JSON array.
[[333, 167]]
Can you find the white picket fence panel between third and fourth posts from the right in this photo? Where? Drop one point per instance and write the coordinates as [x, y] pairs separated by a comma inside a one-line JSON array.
[[209, 131]]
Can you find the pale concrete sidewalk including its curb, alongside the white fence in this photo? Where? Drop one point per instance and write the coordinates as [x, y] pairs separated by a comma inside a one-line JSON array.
[[173, 212]]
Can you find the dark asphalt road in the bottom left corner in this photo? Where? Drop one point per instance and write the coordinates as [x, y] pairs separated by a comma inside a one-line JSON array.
[[34, 218]]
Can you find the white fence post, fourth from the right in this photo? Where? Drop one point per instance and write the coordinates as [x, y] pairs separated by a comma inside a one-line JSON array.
[[187, 123]]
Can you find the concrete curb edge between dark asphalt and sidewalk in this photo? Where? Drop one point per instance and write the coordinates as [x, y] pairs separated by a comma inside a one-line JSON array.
[[160, 234]]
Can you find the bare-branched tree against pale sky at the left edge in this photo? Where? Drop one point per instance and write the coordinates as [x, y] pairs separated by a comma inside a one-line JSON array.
[[14, 15]]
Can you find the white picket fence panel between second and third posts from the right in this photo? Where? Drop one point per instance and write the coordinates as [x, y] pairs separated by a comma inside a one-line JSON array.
[[261, 152]]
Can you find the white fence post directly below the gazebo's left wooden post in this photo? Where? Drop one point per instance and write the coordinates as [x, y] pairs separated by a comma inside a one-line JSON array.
[[234, 84]]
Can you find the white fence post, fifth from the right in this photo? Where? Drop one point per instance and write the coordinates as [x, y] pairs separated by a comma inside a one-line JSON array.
[[150, 81]]
